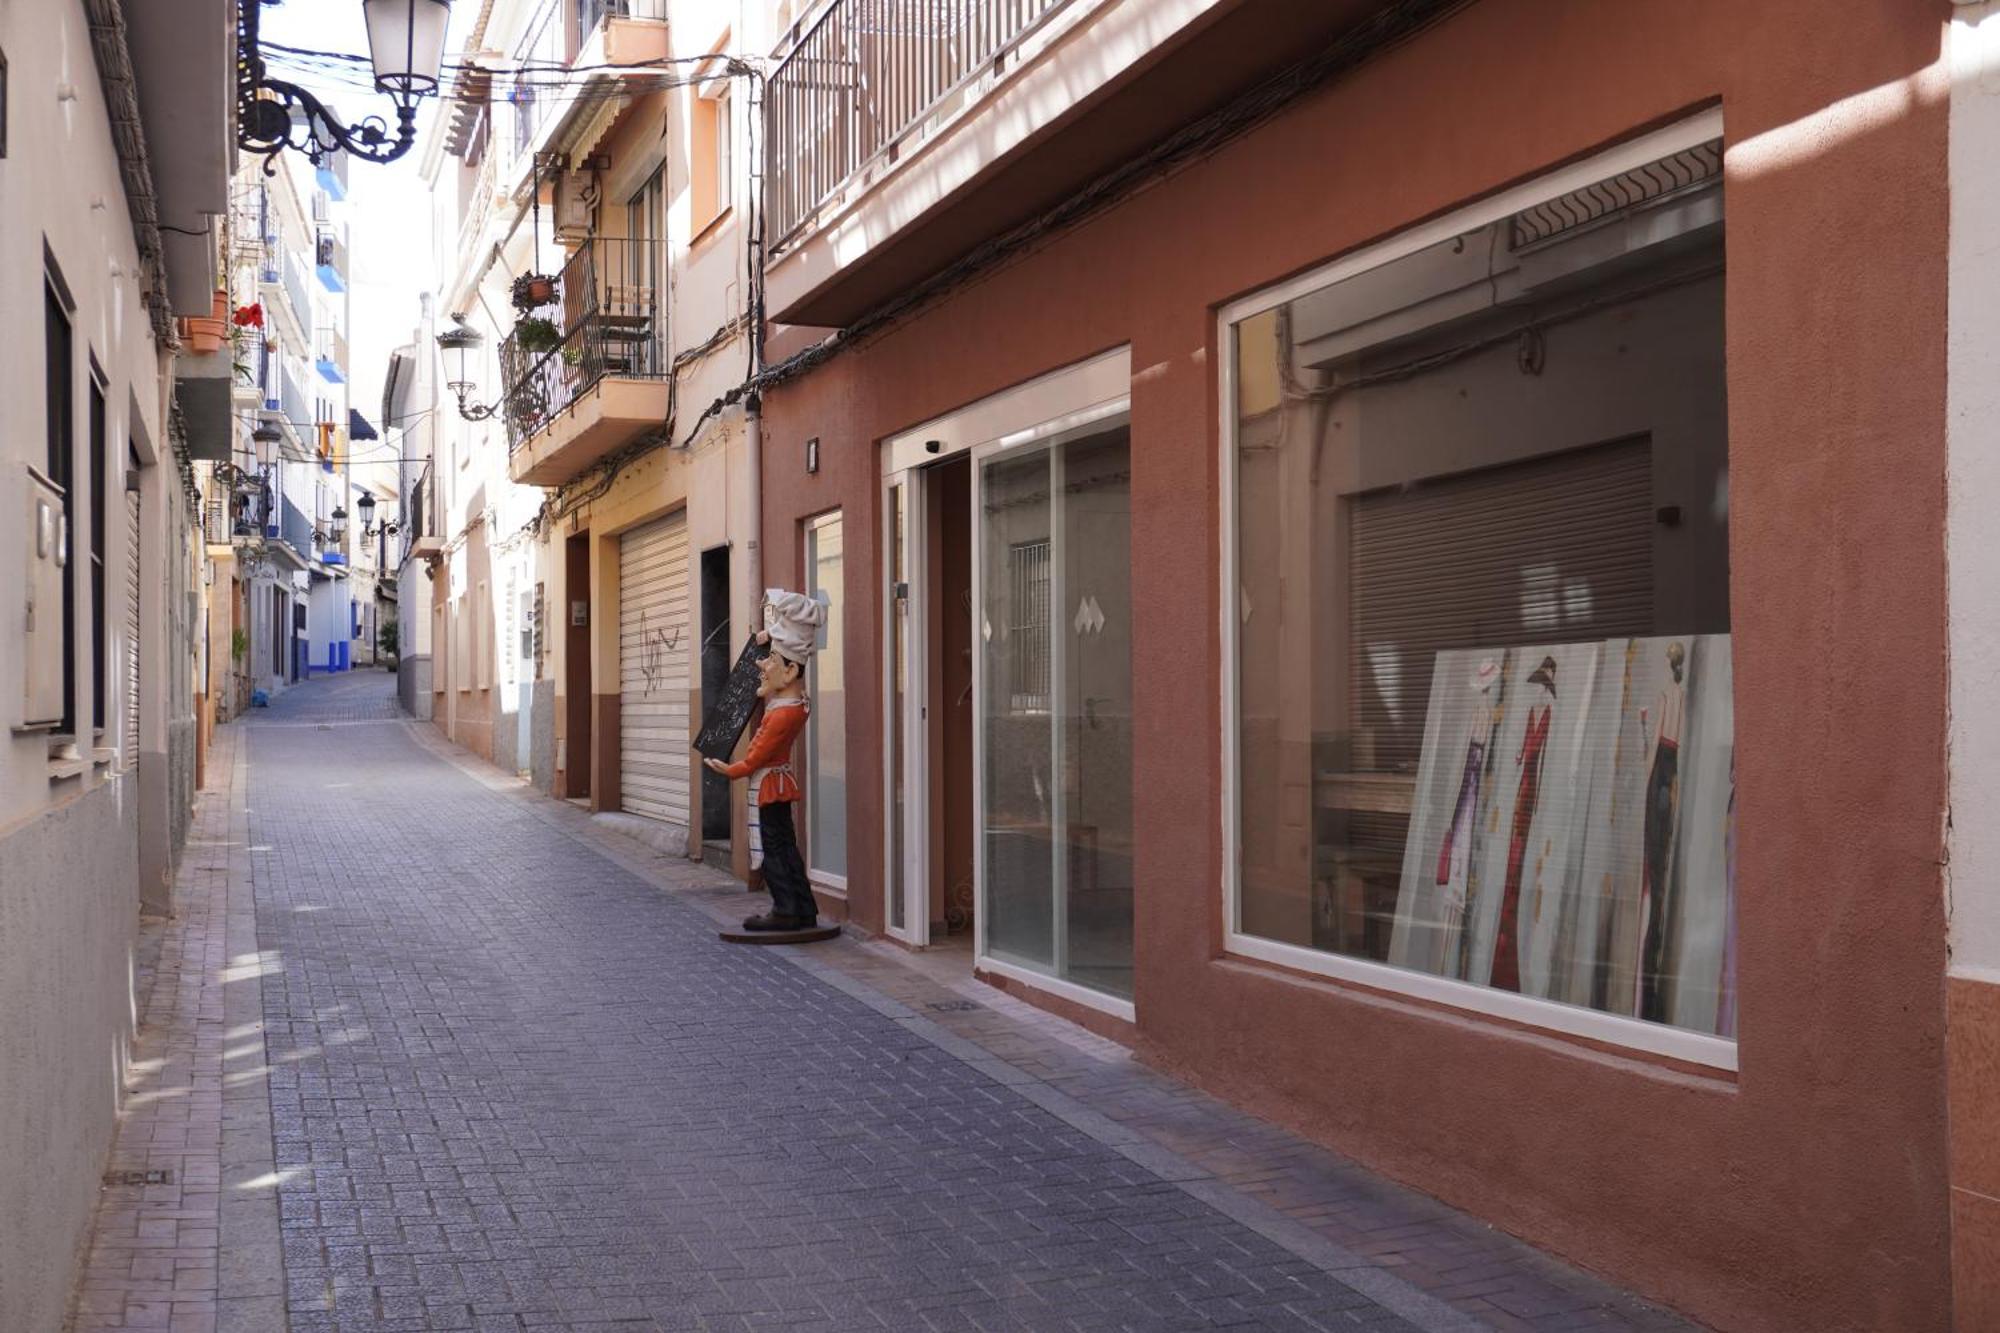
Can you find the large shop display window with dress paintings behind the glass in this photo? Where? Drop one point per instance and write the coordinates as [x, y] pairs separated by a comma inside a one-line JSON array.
[[1483, 708]]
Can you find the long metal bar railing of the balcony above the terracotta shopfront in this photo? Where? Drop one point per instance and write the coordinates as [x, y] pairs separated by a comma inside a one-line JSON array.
[[863, 77]]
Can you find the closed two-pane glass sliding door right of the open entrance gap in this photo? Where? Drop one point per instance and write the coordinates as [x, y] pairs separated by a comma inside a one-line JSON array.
[[1057, 710]]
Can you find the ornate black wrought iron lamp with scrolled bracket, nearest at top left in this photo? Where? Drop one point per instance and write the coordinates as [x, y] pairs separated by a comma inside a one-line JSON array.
[[407, 47]]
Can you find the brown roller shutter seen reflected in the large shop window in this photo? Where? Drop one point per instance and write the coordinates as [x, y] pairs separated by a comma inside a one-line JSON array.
[[1547, 551]]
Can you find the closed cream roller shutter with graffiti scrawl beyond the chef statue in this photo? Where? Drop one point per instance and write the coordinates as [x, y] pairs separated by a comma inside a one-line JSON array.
[[653, 670]]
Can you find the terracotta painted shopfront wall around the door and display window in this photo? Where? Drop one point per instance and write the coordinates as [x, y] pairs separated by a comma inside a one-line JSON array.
[[1809, 1192]]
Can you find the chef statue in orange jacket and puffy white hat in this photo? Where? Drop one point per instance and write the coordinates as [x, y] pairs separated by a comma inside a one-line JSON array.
[[791, 629]]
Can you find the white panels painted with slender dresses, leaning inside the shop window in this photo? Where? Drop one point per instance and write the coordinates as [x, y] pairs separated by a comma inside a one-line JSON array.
[[1573, 828]]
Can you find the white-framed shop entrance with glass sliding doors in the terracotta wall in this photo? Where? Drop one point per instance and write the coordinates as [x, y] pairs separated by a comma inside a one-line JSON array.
[[1009, 688]]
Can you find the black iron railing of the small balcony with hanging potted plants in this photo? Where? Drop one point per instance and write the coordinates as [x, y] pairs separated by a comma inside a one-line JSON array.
[[607, 319]]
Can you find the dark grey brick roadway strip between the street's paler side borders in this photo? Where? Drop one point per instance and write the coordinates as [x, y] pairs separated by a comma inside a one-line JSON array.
[[667, 1124]]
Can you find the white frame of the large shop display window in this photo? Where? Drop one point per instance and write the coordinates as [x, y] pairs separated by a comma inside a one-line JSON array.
[[1531, 1012]]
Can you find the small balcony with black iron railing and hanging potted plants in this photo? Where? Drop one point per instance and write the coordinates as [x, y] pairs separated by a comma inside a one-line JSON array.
[[593, 375]]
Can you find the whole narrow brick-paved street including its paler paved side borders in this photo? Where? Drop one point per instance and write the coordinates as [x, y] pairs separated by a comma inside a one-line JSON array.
[[505, 1082]]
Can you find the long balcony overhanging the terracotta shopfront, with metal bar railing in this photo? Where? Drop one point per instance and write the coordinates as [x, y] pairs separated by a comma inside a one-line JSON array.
[[903, 135]]
